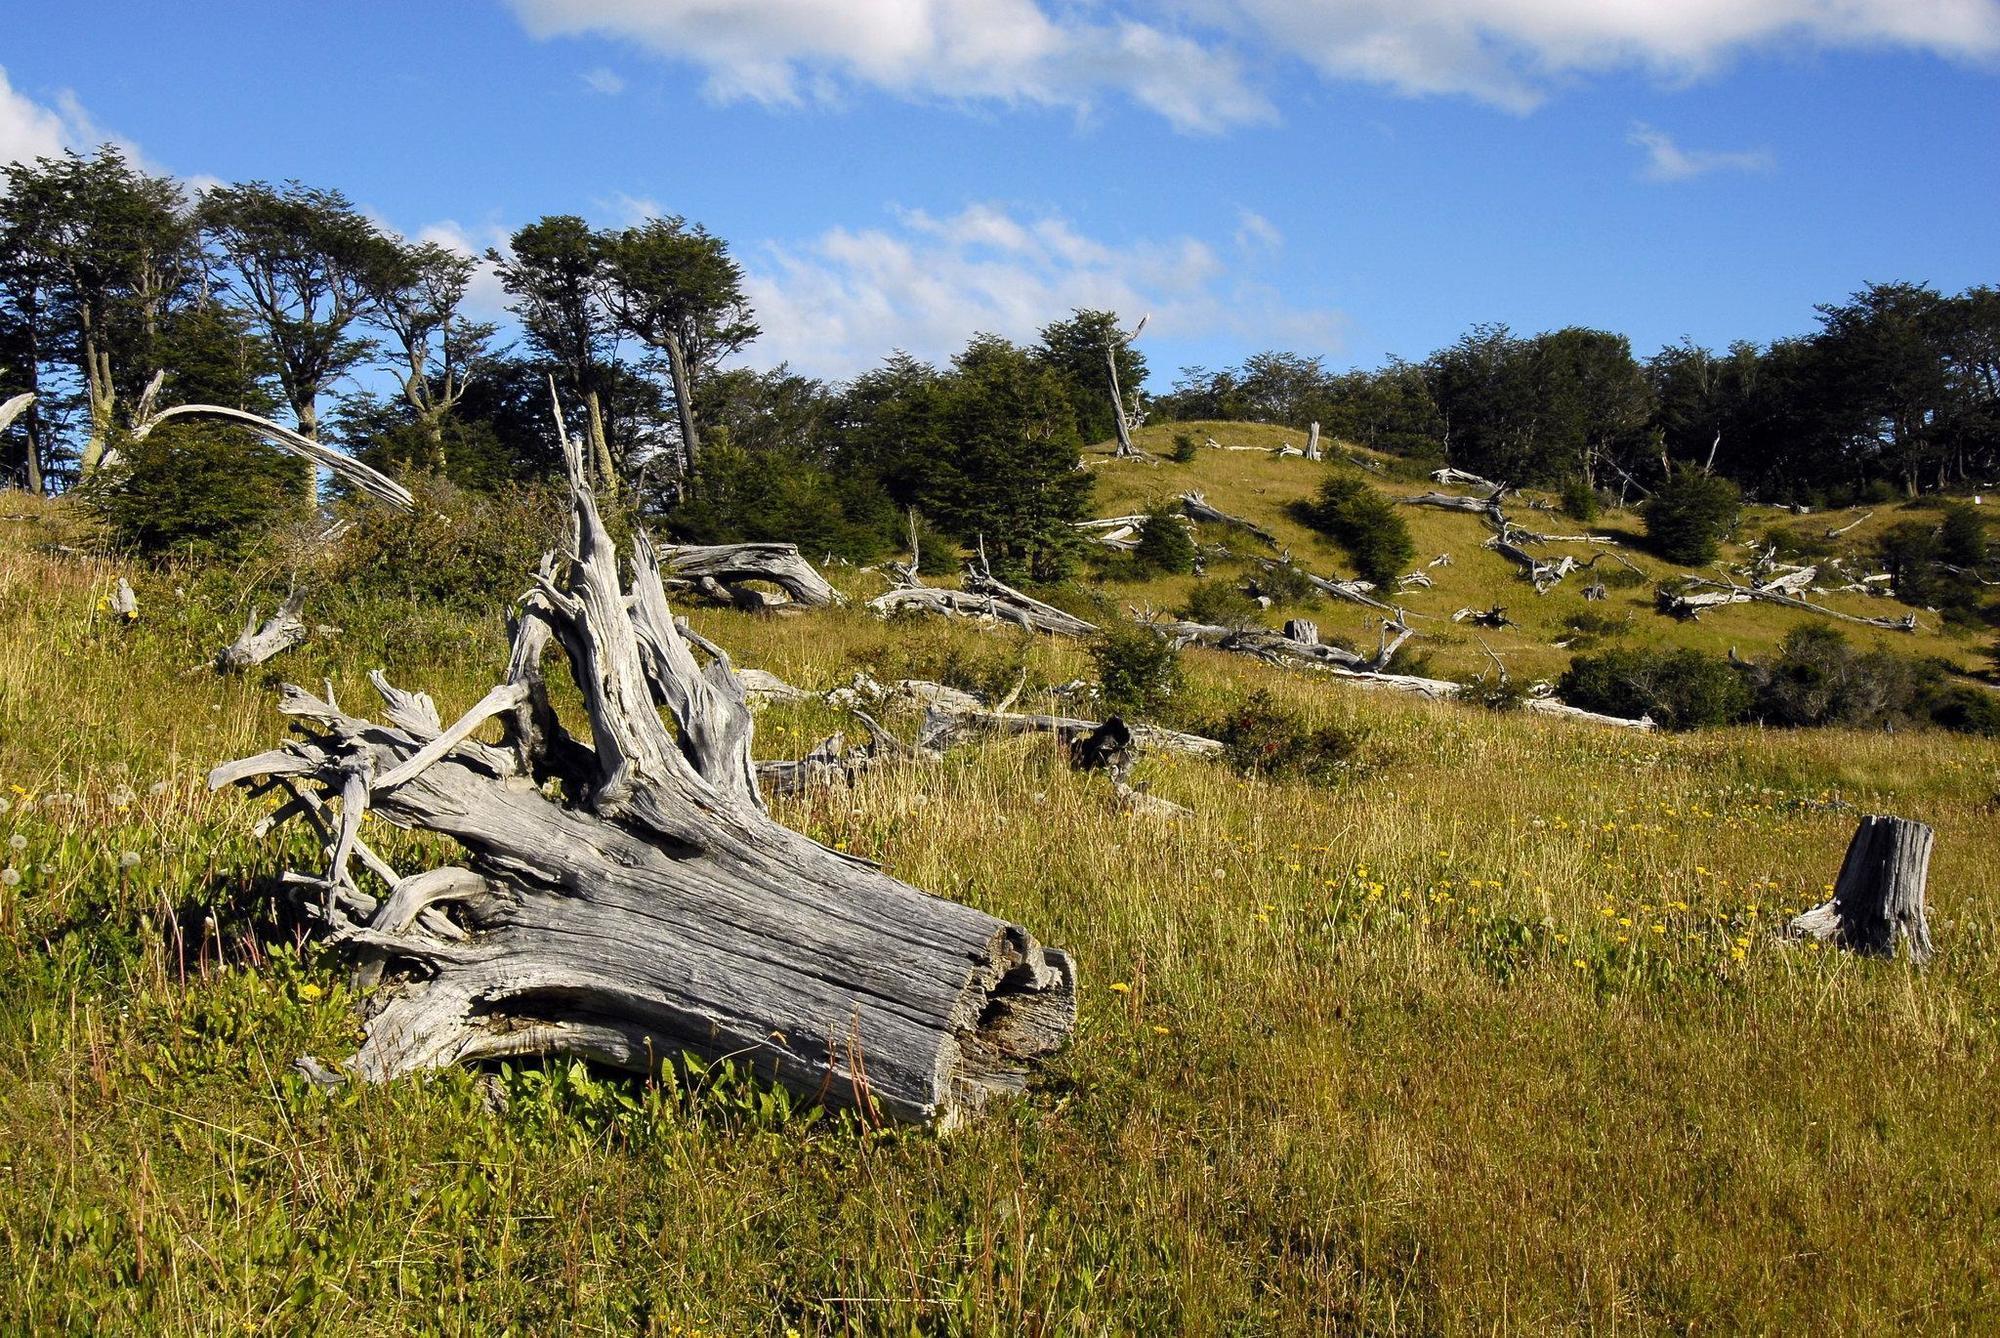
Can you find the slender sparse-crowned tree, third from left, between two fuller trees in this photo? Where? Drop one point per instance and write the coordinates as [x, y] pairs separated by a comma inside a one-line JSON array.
[[417, 295]]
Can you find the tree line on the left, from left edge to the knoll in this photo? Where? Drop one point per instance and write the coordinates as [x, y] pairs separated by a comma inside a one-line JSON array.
[[289, 301]]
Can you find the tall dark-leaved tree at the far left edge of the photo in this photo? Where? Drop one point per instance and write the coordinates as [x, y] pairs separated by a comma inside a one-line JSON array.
[[97, 253]]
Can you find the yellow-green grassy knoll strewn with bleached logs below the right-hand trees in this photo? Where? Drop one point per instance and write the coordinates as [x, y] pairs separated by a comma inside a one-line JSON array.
[[1265, 487]]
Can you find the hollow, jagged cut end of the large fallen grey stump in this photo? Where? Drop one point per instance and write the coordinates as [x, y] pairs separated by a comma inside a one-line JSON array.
[[1017, 1009]]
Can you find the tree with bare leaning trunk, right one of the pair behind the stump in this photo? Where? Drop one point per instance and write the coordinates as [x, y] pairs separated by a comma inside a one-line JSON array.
[[677, 289]]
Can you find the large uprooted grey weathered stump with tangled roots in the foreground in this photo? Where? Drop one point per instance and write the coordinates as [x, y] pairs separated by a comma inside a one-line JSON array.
[[655, 909]]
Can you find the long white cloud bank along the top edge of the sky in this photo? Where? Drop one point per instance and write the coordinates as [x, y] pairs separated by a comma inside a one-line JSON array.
[[1205, 65]]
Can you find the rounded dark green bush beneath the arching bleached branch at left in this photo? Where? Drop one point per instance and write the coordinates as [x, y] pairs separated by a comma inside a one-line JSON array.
[[191, 491]]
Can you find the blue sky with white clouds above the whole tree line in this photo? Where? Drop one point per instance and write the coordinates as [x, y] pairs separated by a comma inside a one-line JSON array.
[[1353, 179]]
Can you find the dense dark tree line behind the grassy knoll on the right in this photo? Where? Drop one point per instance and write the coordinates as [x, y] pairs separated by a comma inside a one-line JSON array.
[[1897, 389]]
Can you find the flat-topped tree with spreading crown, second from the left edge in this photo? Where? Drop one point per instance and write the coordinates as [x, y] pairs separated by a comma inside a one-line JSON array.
[[303, 263]]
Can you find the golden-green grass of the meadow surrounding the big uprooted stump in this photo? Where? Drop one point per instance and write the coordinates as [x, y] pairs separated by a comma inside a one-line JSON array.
[[1491, 1037]]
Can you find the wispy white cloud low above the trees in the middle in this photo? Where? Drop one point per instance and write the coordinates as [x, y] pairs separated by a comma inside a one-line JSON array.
[[841, 303]]
